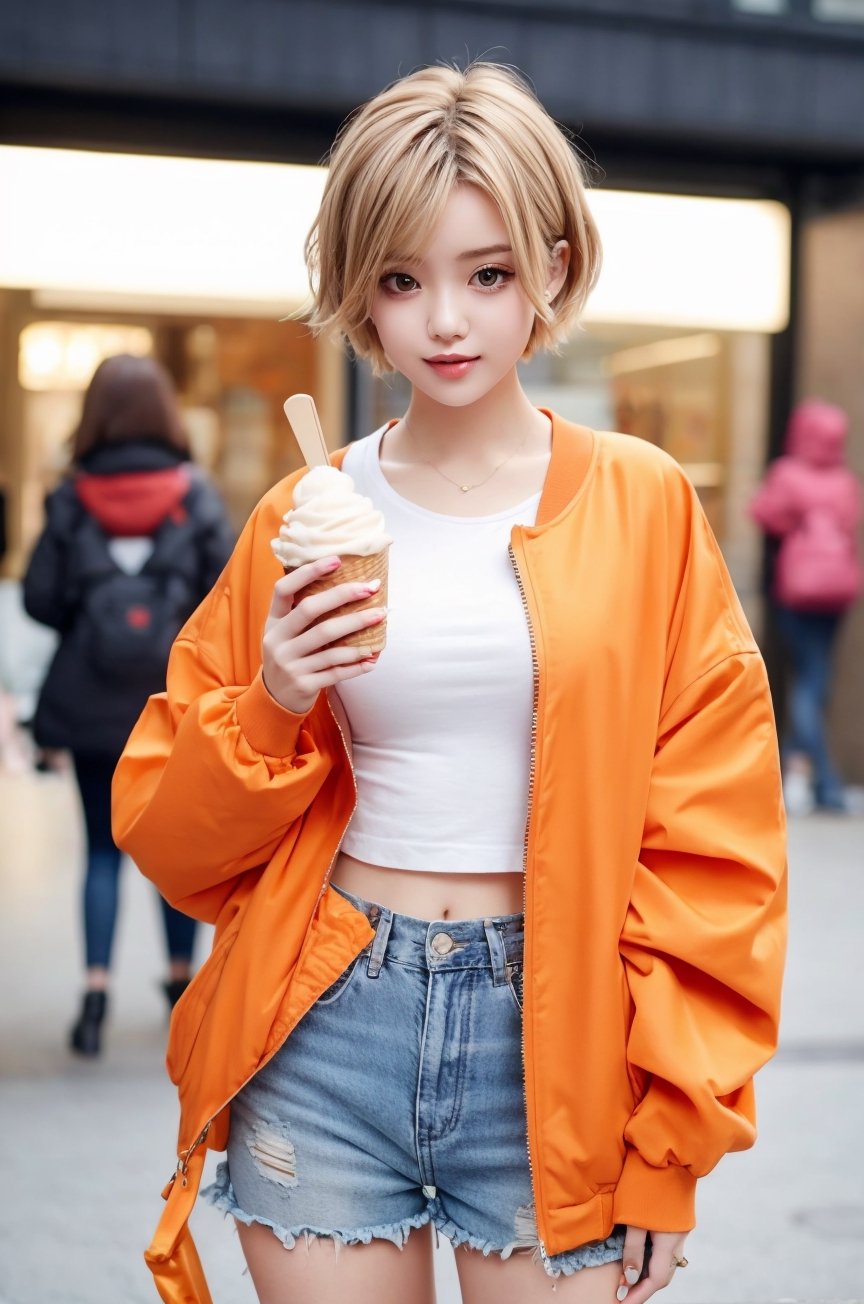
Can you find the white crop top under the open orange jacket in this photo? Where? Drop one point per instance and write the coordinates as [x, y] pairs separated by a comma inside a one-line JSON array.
[[441, 728]]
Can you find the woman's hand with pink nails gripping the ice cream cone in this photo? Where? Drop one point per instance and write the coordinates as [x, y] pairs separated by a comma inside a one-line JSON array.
[[298, 662]]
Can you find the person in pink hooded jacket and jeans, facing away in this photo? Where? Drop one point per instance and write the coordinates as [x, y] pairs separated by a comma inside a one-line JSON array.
[[813, 503]]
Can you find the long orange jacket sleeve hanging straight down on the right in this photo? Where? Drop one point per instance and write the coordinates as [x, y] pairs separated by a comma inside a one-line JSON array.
[[704, 936]]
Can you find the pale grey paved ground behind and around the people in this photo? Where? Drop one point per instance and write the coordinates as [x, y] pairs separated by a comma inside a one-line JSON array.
[[87, 1148]]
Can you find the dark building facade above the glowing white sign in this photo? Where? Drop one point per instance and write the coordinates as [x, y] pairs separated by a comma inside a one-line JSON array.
[[773, 85]]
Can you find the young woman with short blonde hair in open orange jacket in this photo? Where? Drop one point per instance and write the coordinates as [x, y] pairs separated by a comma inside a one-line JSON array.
[[500, 913]]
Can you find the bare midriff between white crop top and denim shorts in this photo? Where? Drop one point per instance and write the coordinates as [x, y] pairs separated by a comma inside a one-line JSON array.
[[431, 895]]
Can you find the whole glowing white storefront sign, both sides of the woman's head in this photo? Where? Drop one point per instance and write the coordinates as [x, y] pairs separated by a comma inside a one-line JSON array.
[[227, 237]]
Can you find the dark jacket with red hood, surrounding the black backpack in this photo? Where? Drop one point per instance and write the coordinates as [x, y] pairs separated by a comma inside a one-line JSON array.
[[123, 490]]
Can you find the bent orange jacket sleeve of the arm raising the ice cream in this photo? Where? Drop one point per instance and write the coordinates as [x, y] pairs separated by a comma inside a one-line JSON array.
[[217, 771]]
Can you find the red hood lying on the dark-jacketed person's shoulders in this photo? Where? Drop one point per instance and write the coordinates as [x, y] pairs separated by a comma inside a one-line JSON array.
[[136, 503]]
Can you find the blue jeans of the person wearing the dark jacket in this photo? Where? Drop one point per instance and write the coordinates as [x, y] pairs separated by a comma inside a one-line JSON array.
[[94, 774]]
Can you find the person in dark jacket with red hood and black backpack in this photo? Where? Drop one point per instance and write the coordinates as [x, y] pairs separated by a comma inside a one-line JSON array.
[[135, 538]]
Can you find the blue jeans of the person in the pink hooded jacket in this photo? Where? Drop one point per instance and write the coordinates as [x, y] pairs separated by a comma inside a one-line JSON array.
[[810, 640]]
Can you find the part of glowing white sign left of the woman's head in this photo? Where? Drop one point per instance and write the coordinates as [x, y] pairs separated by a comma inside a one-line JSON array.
[[93, 229]]
